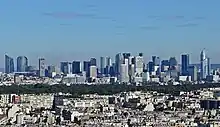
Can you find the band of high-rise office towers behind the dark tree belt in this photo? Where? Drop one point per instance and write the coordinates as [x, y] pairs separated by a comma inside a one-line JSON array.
[[126, 68]]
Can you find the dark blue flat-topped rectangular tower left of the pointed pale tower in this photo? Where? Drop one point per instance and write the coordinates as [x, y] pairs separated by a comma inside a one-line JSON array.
[[185, 64]]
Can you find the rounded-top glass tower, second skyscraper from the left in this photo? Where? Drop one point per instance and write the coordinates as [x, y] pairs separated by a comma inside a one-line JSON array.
[[22, 64]]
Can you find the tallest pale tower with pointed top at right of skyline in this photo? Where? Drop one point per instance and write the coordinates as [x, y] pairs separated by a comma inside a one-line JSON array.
[[204, 65]]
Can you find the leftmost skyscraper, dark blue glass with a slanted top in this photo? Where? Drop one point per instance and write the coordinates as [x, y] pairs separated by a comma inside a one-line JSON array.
[[9, 64]]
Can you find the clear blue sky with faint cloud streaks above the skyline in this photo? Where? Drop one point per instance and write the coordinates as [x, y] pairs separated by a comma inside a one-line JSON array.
[[78, 29]]
